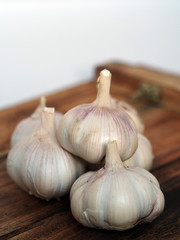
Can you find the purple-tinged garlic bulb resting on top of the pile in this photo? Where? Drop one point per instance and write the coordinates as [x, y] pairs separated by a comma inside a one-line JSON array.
[[86, 129]]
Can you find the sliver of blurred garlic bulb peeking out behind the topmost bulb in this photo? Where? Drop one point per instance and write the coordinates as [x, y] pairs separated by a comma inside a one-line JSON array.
[[131, 112]]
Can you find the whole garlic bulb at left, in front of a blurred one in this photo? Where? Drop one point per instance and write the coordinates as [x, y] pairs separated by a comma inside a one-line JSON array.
[[39, 165]]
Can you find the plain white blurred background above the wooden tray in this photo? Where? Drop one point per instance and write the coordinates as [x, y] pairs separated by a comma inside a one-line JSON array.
[[50, 45]]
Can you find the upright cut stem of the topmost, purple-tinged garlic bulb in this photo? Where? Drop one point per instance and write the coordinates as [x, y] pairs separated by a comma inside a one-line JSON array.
[[104, 84]]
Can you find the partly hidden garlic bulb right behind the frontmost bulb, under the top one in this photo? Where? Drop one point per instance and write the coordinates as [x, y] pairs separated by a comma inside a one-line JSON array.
[[143, 157]]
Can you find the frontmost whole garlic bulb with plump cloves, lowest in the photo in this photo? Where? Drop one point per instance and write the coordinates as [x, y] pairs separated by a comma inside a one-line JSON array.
[[116, 197]]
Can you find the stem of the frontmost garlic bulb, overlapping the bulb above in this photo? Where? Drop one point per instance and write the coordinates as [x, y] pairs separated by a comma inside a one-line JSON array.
[[112, 158]]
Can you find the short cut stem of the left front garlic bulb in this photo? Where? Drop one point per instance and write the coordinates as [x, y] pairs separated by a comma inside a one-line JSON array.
[[48, 120]]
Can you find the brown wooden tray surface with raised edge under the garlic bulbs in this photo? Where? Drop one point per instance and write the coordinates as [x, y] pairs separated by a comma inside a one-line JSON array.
[[25, 217]]
